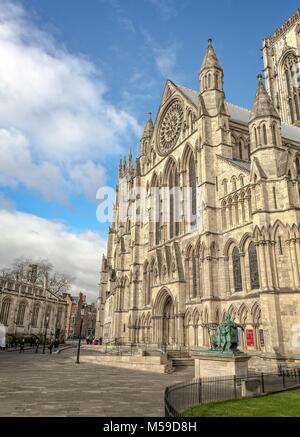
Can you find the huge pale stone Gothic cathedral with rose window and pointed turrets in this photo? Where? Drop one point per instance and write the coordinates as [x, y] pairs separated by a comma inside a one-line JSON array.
[[214, 222]]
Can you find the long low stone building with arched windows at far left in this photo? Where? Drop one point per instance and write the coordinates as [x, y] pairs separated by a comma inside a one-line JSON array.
[[25, 305]]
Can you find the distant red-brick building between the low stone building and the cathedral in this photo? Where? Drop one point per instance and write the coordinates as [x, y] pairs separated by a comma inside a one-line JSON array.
[[75, 305]]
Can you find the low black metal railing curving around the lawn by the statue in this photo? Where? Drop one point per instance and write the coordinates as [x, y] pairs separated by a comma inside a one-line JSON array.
[[182, 396]]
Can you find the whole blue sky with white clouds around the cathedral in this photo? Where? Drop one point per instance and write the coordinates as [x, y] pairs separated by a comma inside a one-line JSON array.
[[77, 79]]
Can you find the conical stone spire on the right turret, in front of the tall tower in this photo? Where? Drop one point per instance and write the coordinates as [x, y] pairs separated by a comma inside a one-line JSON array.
[[263, 106]]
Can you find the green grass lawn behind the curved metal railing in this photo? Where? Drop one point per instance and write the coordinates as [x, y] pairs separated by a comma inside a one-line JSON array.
[[286, 404]]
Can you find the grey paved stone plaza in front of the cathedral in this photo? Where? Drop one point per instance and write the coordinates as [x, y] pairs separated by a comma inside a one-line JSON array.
[[53, 385]]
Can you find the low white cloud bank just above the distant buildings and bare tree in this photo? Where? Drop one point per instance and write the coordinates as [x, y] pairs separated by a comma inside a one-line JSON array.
[[78, 254]]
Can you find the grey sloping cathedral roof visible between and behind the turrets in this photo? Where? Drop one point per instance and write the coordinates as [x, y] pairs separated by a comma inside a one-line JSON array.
[[242, 115]]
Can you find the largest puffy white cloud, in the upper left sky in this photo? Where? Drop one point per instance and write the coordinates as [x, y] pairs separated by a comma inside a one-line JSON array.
[[53, 103]]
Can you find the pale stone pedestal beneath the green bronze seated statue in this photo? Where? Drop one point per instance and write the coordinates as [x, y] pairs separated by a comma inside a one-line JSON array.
[[212, 364]]
